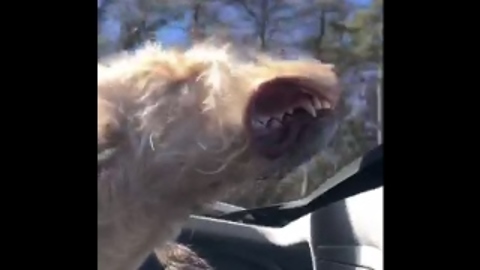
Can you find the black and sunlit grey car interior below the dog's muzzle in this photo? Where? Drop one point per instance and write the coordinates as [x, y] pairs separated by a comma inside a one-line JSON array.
[[338, 227]]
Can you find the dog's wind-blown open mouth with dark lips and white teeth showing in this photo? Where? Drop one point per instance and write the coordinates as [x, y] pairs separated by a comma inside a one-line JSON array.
[[281, 110]]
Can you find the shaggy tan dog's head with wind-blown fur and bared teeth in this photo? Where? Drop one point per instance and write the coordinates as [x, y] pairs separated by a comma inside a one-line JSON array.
[[204, 119]]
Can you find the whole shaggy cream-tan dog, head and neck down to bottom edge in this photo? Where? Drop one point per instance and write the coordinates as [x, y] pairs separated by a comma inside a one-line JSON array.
[[176, 129]]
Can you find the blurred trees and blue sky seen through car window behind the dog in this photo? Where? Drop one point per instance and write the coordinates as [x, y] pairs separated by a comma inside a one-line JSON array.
[[347, 33]]
